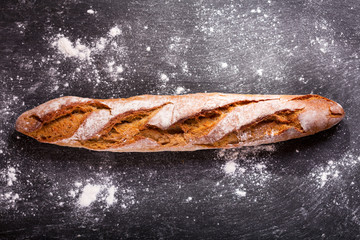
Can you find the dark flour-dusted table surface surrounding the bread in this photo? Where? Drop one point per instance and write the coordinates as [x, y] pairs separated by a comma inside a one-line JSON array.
[[300, 189]]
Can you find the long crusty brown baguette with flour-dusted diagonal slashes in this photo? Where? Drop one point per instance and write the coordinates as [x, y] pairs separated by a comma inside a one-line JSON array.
[[178, 123]]
